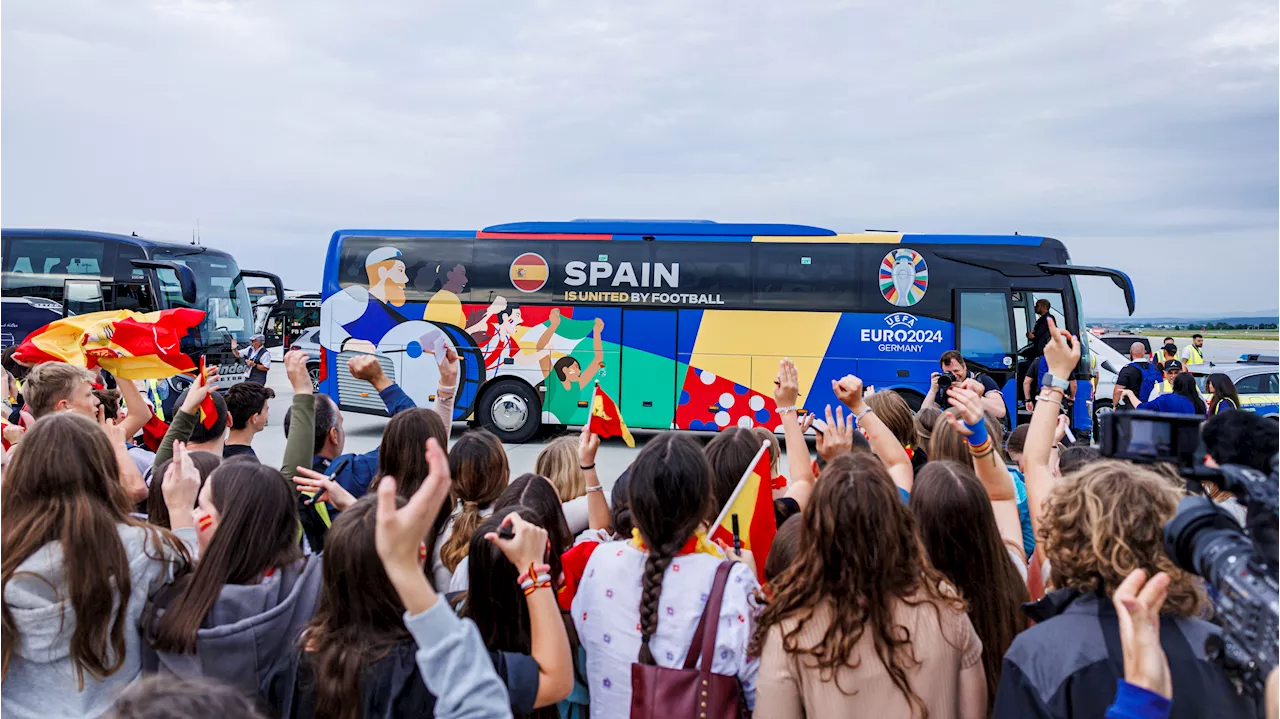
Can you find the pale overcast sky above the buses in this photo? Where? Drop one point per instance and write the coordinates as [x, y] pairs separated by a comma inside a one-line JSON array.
[[1144, 134]]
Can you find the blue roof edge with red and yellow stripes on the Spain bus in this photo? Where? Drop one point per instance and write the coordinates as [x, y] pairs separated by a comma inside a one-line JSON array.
[[698, 231]]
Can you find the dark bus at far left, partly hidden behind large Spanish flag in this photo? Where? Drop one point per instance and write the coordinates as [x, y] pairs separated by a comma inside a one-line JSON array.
[[48, 274]]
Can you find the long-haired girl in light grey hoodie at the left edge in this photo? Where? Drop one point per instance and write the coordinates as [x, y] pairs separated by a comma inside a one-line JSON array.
[[76, 570]]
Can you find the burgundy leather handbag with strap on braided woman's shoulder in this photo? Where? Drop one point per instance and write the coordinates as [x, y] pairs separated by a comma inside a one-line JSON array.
[[659, 693]]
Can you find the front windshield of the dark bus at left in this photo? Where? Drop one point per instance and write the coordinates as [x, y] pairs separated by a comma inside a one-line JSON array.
[[221, 291]]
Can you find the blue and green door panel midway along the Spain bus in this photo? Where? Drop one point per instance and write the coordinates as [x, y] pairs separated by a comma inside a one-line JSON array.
[[648, 369]]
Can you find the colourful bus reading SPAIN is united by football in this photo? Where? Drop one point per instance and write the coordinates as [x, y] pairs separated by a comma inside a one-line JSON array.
[[682, 323]]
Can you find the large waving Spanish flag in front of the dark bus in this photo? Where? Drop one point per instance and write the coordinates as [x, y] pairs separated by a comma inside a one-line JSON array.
[[131, 346]]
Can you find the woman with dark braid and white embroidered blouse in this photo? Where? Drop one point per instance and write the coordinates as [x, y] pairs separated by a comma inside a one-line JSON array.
[[621, 621]]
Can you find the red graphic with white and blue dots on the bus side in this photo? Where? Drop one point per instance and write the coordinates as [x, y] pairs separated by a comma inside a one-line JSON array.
[[711, 402]]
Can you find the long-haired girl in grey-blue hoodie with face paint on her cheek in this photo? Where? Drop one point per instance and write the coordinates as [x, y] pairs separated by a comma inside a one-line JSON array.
[[246, 602]]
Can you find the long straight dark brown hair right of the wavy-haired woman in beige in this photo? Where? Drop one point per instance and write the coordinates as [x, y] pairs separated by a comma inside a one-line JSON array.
[[961, 539]]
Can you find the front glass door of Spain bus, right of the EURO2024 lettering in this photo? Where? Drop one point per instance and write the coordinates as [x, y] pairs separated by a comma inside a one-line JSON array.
[[985, 327]]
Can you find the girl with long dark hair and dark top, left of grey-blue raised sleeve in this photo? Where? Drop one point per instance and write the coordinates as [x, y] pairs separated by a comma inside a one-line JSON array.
[[355, 660]]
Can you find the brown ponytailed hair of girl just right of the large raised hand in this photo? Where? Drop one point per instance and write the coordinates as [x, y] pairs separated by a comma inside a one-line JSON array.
[[478, 464]]
